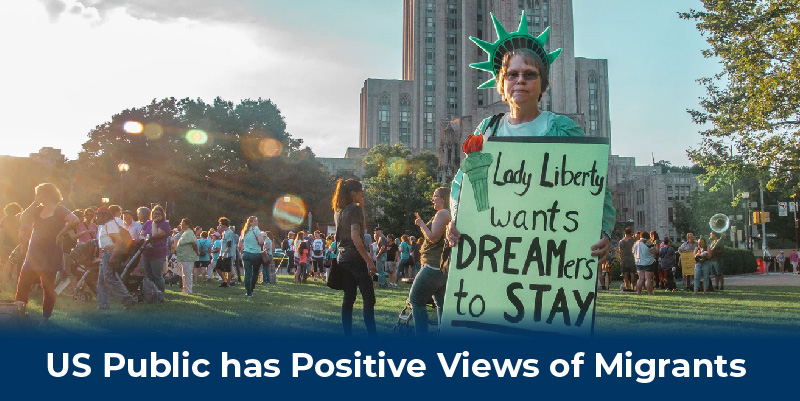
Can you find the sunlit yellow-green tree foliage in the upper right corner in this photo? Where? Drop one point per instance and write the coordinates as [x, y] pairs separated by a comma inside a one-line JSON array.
[[753, 105]]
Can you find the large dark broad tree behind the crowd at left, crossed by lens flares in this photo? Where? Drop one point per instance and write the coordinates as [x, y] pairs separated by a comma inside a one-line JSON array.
[[206, 160]]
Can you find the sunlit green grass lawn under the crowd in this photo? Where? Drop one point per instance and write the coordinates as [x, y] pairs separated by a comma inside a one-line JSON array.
[[287, 307]]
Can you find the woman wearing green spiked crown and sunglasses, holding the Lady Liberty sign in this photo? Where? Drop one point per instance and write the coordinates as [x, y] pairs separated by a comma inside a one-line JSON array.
[[520, 66]]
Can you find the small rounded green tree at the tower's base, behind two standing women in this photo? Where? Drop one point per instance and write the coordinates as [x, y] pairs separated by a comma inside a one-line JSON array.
[[398, 184]]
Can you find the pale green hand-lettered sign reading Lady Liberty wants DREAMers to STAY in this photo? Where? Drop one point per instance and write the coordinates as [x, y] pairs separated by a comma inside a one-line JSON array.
[[529, 211]]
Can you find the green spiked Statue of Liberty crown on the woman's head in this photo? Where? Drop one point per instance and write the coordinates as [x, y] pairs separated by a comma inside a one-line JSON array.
[[507, 42]]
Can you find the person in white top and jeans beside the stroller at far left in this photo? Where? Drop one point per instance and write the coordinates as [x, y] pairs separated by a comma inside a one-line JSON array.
[[110, 243]]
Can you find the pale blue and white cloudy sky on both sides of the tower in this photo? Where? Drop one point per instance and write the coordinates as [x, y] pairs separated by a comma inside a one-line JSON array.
[[69, 65]]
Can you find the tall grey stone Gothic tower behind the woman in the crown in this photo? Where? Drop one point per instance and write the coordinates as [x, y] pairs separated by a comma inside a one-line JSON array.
[[436, 104]]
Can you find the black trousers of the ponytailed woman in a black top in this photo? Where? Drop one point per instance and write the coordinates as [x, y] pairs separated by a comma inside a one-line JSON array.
[[357, 277]]
